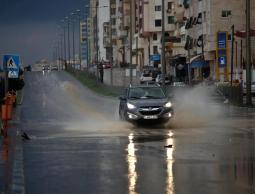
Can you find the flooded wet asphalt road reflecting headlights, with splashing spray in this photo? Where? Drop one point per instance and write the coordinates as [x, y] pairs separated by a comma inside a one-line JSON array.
[[78, 145]]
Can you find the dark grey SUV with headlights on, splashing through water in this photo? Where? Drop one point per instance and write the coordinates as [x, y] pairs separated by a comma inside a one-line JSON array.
[[145, 103]]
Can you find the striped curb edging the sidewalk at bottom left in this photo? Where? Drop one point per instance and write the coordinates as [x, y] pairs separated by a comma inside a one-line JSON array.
[[18, 181]]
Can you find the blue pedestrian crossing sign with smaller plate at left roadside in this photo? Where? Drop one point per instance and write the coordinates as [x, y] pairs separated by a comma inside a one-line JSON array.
[[11, 63]]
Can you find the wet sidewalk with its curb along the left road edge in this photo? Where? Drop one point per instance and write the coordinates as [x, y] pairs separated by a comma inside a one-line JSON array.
[[11, 159]]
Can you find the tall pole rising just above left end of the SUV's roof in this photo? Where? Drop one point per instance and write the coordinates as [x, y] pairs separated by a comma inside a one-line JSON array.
[[130, 41]]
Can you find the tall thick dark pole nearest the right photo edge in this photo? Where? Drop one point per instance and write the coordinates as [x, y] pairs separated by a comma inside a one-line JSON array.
[[248, 54]]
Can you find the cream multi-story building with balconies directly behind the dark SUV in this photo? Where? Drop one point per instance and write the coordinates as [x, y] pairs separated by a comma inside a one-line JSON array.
[[148, 28]]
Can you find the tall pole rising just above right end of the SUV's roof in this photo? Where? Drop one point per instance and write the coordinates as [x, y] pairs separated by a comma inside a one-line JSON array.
[[163, 63]]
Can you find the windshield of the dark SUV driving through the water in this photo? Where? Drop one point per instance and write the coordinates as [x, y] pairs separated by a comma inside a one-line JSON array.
[[146, 92]]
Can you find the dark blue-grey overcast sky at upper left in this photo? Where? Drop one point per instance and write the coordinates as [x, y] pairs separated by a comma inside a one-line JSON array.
[[28, 27]]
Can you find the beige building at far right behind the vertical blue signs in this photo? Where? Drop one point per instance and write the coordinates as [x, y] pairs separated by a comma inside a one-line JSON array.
[[208, 28]]
